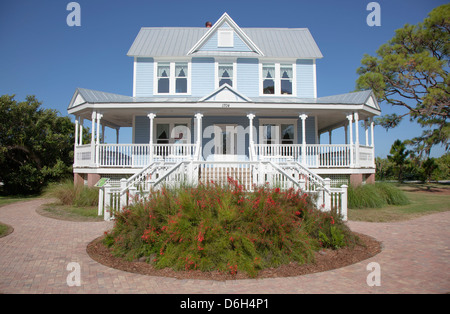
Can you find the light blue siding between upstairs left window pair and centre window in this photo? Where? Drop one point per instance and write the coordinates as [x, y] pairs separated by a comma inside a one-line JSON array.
[[202, 76]]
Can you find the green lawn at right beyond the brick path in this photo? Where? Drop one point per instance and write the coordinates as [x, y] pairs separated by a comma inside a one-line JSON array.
[[424, 199]]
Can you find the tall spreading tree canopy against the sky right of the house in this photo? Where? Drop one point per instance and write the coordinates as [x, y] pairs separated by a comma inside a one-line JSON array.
[[411, 71]]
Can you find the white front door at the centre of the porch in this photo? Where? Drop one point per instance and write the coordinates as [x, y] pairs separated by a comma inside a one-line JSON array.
[[225, 142]]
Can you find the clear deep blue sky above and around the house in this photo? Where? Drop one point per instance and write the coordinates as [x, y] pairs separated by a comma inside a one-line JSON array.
[[41, 55]]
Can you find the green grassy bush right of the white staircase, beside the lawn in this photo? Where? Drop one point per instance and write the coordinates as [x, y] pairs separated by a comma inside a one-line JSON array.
[[375, 195]]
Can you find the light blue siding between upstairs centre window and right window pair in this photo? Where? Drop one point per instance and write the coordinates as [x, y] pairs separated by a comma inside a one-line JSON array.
[[247, 71]]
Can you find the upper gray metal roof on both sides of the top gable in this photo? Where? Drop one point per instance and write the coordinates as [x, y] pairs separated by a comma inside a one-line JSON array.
[[177, 41]]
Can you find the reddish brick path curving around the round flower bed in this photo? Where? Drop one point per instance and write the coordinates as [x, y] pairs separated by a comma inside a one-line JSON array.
[[33, 259]]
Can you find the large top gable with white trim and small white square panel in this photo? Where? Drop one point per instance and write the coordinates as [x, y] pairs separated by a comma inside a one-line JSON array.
[[225, 36]]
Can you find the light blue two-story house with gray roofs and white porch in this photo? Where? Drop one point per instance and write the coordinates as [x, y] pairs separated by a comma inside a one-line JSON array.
[[225, 95]]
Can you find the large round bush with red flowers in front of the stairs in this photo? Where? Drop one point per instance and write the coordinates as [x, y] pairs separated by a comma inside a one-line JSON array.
[[224, 228]]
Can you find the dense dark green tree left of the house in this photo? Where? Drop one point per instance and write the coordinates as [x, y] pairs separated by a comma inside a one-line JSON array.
[[36, 145]]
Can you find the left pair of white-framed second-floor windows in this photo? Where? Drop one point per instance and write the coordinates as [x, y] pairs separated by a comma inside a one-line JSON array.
[[172, 77]]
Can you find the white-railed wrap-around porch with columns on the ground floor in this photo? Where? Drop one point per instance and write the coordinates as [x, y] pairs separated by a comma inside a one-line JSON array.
[[219, 138]]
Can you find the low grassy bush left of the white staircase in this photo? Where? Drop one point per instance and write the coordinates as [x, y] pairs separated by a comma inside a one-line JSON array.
[[70, 194]]
